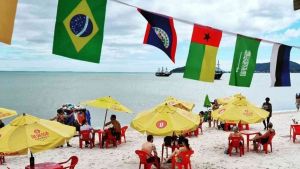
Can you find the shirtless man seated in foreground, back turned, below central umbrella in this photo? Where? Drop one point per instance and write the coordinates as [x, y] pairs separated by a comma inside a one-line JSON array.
[[149, 147]]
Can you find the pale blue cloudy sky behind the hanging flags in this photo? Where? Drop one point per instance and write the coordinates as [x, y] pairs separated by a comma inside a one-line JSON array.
[[123, 50]]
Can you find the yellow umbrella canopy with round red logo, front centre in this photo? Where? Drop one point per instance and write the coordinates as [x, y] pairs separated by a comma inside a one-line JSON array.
[[165, 120]]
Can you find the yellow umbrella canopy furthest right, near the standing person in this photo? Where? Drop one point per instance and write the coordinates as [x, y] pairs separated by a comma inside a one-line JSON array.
[[240, 110]]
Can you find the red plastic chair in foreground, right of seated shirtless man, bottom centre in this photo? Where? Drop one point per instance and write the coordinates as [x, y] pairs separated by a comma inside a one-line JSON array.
[[182, 160]]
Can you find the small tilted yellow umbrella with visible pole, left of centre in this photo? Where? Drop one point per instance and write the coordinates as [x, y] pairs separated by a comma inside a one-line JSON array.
[[107, 103]]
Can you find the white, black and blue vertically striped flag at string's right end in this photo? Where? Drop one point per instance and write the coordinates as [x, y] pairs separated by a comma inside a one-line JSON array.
[[280, 65]]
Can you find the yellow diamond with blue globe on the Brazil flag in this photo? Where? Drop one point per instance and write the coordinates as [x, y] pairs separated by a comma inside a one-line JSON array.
[[81, 25]]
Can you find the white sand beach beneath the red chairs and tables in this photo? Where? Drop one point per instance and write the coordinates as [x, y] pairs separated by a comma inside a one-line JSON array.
[[209, 151]]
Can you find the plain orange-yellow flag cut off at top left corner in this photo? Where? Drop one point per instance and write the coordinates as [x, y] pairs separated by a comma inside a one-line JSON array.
[[7, 19]]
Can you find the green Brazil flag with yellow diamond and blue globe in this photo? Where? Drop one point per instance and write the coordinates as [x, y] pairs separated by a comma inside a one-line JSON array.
[[79, 29]]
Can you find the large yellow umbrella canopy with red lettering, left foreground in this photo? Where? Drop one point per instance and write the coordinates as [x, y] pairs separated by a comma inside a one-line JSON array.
[[27, 132]]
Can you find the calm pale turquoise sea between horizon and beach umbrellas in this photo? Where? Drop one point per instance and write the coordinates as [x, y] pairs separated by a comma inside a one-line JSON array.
[[41, 93]]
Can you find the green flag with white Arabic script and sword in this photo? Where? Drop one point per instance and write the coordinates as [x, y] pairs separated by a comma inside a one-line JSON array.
[[244, 61]]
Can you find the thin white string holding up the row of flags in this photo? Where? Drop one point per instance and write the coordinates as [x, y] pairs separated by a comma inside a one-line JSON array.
[[192, 23]]
